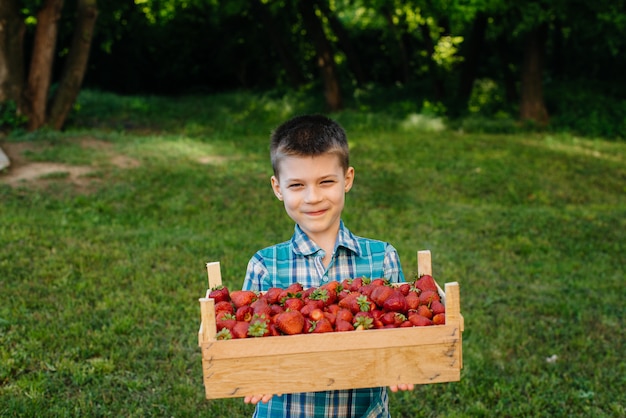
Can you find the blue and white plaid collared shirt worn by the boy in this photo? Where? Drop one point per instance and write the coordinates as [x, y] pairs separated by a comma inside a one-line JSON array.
[[300, 260]]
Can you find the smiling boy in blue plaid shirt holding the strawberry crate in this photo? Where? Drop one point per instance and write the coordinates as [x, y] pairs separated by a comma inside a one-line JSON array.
[[312, 174]]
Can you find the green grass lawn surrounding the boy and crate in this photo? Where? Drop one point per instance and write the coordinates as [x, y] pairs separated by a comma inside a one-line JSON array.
[[99, 312]]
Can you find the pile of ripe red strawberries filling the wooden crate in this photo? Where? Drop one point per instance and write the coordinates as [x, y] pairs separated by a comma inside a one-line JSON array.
[[353, 304]]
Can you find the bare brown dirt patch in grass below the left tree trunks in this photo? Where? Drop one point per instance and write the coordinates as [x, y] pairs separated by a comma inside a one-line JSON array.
[[23, 172]]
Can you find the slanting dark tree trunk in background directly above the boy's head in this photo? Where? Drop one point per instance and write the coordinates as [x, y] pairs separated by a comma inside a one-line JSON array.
[[324, 52]]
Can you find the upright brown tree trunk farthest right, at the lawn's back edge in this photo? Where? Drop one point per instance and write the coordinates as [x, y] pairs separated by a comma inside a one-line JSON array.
[[532, 106]]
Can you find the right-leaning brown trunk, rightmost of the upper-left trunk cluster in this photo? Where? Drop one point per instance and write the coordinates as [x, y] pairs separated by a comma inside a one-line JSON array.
[[75, 64]]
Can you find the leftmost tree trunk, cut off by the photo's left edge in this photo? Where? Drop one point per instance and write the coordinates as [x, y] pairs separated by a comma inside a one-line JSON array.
[[12, 30]]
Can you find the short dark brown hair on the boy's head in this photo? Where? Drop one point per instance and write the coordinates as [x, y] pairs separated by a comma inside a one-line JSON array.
[[309, 135]]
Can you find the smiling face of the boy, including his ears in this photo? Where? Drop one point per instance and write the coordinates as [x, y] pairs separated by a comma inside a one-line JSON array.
[[313, 190]]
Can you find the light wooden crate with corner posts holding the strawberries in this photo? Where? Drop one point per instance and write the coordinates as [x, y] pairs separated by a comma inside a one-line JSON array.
[[331, 361]]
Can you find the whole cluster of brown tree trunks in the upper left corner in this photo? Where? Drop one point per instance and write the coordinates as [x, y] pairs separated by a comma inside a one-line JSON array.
[[32, 93]]
